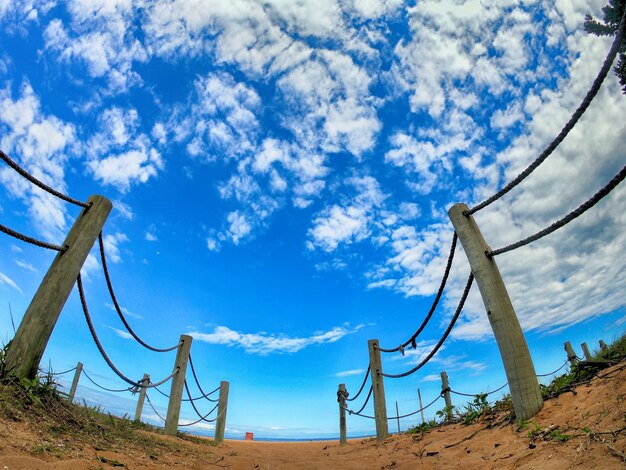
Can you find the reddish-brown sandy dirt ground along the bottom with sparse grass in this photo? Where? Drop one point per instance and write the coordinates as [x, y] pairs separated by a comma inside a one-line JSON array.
[[585, 429]]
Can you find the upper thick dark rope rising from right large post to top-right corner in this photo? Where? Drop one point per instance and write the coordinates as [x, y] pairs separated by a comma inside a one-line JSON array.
[[593, 91]]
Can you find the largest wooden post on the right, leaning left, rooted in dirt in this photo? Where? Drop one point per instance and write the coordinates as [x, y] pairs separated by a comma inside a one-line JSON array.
[[518, 365]]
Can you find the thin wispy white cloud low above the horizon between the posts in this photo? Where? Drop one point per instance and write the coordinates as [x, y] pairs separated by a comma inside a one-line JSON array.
[[264, 344]]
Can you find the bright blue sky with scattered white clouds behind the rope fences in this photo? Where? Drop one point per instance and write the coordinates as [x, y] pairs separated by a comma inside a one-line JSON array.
[[281, 173]]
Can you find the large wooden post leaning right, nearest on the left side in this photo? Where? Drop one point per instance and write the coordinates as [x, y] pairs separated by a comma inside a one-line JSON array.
[[33, 334]]
